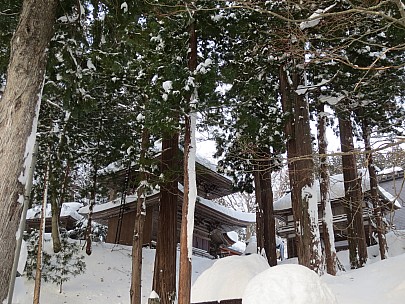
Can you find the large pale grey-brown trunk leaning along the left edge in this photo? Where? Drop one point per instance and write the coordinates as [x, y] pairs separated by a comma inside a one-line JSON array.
[[19, 109]]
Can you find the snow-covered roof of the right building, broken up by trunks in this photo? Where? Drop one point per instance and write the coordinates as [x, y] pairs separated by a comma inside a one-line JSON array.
[[336, 191]]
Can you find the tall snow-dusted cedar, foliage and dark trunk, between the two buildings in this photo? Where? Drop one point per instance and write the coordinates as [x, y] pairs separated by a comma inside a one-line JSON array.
[[252, 120]]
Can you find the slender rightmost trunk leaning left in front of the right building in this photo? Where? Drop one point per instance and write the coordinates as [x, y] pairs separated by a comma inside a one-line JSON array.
[[380, 227]]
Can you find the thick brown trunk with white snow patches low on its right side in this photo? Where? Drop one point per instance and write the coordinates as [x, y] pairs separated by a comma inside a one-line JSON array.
[[301, 170]]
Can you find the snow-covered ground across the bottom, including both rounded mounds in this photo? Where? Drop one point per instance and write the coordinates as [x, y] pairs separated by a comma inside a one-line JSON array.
[[107, 279]]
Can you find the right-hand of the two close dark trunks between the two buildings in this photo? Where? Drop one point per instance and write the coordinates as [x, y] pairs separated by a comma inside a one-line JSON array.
[[269, 225]]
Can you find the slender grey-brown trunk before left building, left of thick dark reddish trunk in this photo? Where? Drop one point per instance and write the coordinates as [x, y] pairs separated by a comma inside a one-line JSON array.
[[137, 241]]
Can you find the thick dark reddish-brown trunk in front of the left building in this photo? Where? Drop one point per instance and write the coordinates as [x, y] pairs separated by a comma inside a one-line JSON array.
[[164, 275]]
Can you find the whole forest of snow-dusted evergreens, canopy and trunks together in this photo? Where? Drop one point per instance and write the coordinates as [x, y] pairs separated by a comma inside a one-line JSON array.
[[96, 81]]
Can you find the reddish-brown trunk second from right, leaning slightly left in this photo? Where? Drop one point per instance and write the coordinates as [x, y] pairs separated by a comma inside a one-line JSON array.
[[353, 204]]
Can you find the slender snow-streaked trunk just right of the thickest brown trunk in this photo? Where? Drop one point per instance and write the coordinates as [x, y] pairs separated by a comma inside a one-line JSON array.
[[325, 205]]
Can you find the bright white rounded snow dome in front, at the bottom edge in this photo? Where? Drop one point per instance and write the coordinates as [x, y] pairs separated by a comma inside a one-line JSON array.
[[290, 283]]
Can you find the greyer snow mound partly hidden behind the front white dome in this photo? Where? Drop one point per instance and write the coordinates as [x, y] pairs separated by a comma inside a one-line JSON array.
[[233, 273]]
